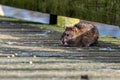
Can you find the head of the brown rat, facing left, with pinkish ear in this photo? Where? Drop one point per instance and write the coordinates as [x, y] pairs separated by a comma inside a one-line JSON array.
[[68, 37]]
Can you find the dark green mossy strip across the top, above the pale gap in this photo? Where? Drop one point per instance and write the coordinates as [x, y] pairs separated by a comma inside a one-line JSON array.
[[105, 11]]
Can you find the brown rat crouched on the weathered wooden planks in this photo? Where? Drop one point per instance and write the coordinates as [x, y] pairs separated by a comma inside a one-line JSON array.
[[83, 34]]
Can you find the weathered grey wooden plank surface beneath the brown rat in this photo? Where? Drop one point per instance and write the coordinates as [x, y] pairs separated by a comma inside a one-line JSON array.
[[31, 53]]
